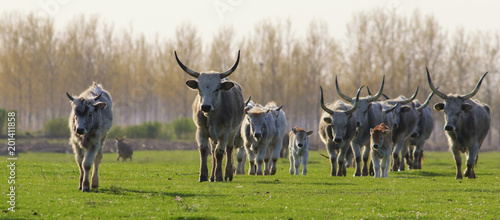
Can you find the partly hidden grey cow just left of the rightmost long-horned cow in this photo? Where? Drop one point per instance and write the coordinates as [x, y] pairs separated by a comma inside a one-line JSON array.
[[422, 133]]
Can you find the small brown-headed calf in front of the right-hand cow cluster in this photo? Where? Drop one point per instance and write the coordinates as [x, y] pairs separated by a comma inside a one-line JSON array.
[[381, 149]]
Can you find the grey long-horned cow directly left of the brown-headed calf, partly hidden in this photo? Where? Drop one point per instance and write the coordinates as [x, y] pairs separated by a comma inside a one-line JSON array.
[[368, 115]]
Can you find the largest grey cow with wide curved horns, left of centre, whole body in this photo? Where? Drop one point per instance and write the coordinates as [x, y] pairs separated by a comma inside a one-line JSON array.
[[217, 114]]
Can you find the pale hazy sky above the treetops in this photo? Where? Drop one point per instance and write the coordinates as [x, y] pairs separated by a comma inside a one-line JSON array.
[[153, 17]]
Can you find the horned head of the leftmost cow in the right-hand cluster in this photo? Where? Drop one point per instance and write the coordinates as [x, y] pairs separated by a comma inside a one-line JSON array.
[[339, 120]]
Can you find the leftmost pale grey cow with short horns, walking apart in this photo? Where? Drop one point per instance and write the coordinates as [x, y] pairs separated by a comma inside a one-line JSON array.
[[90, 119]]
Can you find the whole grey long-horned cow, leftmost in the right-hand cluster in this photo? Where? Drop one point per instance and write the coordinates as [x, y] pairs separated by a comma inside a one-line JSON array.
[[337, 128]]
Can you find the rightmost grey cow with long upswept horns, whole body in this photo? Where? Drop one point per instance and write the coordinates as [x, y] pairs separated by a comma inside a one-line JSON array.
[[467, 122]]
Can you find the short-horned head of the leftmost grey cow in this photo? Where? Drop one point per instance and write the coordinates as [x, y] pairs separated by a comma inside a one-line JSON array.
[[83, 112]]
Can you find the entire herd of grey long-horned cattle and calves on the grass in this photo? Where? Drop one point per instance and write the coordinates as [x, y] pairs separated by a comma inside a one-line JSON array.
[[365, 125]]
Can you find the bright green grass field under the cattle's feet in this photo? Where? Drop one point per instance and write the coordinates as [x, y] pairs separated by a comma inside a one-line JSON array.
[[164, 184]]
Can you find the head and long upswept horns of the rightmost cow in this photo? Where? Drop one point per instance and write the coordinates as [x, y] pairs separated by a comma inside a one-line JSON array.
[[454, 105]]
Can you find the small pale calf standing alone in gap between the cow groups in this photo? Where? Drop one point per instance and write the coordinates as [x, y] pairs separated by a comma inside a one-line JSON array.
[[299, 149]]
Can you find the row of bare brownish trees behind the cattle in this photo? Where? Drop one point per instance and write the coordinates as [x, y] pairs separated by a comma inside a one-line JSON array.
[[38, 64]]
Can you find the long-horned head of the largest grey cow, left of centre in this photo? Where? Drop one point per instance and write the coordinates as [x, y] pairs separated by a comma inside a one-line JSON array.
[[209, 85]]
